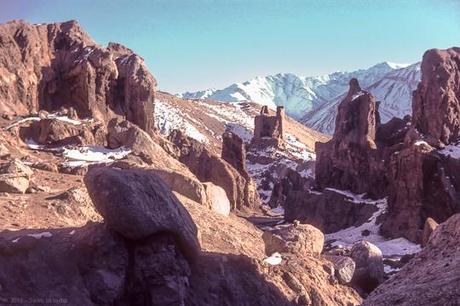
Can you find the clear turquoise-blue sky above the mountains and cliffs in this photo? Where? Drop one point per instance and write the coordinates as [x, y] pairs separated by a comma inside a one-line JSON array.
[[192, 45]]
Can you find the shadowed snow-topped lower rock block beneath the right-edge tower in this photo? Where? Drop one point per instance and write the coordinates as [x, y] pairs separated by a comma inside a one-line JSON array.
[[423, 184]]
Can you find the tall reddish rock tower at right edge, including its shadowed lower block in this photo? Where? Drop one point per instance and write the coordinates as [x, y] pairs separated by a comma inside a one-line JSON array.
[[423, 180]]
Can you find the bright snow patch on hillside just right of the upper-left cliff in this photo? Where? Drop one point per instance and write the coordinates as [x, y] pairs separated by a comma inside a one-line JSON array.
[[168, 119]]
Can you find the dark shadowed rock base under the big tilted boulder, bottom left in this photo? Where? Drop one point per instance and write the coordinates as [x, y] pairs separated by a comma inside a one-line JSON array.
[[91, 266]]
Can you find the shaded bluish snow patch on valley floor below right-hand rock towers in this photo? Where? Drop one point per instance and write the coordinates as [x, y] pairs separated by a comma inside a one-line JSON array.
[[352, 235]]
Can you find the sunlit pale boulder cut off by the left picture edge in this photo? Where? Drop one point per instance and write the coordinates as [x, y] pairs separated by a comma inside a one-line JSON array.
[[14, 177]]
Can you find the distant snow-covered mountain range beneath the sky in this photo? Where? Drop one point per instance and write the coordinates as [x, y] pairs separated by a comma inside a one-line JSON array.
[[313, 100]]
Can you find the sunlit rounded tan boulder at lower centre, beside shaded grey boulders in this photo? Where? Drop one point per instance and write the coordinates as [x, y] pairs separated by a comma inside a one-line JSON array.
[[298, 239]]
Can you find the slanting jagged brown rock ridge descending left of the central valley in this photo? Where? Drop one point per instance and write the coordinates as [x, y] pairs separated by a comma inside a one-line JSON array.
[[208, 167]]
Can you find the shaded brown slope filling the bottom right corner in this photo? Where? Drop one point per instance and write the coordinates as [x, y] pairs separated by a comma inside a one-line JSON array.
[[431, 278]]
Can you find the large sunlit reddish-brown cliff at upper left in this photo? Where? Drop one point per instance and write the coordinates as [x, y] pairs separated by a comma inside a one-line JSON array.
[[58, 65]]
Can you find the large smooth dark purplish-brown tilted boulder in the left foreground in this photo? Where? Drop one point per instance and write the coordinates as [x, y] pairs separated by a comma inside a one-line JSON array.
[[137, 204]]
